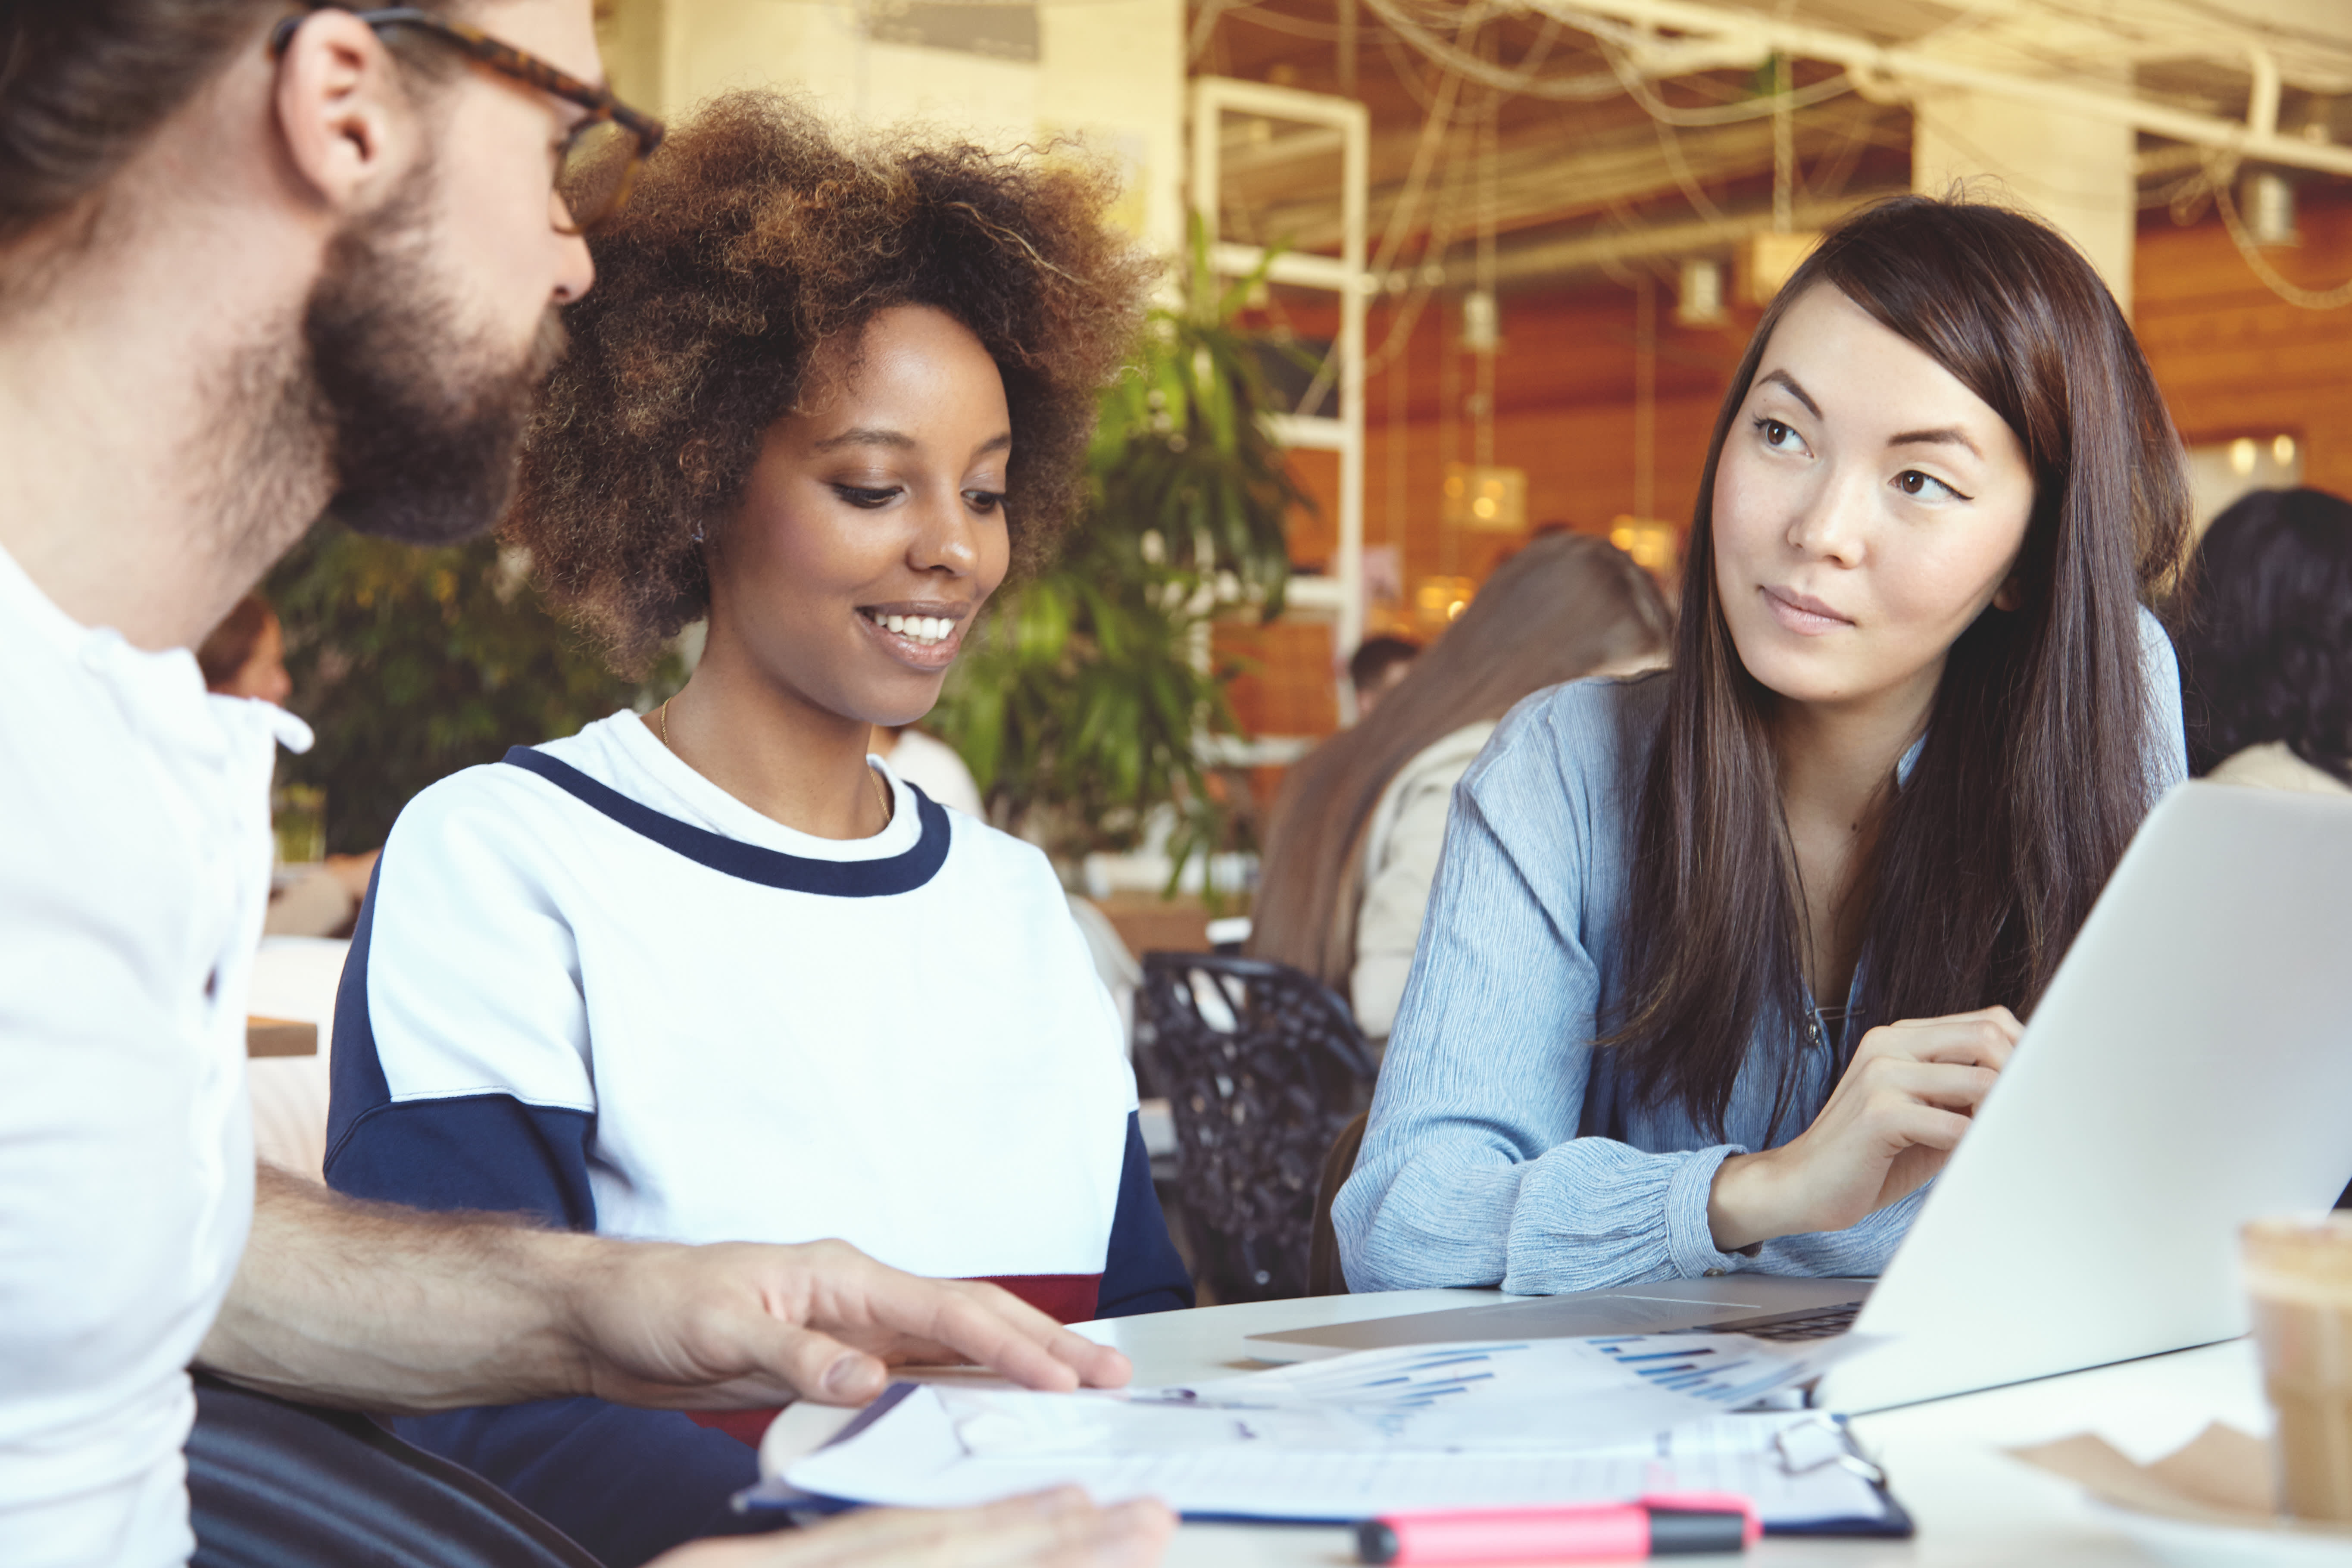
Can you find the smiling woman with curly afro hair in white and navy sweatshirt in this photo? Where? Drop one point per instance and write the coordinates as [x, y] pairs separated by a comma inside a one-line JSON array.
[[716, 974]]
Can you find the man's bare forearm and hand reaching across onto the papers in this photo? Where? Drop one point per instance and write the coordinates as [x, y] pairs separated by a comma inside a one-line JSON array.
[[382, 1308]]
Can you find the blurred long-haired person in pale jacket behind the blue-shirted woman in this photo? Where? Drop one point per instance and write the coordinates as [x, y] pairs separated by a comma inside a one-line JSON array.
[[1356, 833]]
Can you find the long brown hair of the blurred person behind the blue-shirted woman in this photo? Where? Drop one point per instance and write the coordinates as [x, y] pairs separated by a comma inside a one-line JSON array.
[[1563, 608]]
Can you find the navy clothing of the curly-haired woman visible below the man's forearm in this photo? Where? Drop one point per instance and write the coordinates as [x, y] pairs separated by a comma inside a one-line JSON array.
[[624, 1485]]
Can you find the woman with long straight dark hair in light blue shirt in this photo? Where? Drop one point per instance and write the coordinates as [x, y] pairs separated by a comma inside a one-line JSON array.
[[1720, 960]]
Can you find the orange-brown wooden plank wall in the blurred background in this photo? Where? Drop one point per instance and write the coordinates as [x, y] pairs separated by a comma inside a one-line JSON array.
[[2229, 354]]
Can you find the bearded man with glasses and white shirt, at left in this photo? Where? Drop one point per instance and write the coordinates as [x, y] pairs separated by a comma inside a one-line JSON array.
[[258, 262]]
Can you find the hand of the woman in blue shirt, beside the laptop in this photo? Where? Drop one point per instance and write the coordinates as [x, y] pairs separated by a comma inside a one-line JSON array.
[[1890, 1127]]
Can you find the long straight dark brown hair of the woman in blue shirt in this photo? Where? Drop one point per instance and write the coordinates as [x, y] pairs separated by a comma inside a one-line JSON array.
[[2036, 768]]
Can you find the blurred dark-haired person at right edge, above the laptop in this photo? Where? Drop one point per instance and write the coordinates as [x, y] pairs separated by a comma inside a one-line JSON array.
[[2266, 657]]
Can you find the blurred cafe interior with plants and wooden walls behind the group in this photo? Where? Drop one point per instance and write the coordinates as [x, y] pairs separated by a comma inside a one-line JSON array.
[[1441, 276]]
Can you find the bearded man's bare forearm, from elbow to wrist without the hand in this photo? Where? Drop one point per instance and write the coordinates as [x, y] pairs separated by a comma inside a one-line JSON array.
[[396, 1311]]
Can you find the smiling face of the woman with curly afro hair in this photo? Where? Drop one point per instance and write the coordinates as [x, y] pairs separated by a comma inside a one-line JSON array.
[[874, 523]]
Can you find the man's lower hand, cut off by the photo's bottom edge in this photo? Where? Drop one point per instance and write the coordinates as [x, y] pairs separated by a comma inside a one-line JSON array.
[[1045, 1532]]
